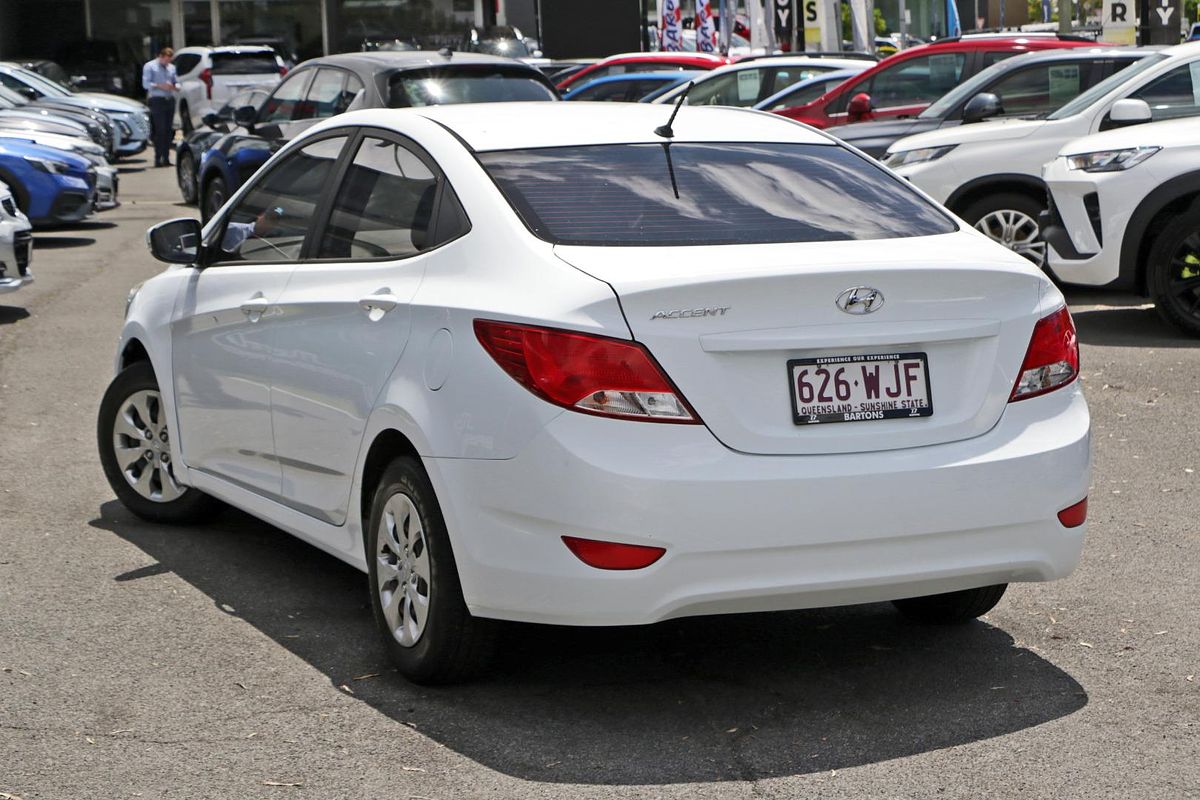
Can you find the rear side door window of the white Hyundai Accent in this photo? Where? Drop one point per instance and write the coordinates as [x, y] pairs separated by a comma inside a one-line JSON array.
[[385, 207]]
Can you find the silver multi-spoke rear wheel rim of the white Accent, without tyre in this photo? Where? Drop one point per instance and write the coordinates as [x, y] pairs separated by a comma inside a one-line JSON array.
[[403, 570]]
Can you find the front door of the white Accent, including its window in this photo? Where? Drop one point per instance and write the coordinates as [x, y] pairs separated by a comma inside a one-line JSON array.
[[225, 326]]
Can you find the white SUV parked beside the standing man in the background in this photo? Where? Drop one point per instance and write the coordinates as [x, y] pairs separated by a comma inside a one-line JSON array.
[[211, 76]]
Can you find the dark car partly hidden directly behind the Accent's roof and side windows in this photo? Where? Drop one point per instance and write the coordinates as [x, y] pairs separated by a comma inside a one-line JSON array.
[[327, 87]]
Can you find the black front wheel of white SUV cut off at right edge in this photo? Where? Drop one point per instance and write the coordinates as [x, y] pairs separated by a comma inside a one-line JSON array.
[[1173, 273]]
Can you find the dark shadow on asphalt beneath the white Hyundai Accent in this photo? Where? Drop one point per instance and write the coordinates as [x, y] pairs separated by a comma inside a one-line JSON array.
[[717, 699]]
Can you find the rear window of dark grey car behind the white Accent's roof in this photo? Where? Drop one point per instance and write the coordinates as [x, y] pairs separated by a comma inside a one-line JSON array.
[[446, 87]]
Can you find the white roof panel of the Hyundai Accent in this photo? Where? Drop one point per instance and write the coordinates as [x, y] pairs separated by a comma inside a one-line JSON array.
[[513, 127]]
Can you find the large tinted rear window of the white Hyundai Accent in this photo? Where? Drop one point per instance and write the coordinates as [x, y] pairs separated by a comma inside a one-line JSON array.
[[718, 194]]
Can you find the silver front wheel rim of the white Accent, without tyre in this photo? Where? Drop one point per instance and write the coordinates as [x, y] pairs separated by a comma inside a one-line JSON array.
[[142, 446]]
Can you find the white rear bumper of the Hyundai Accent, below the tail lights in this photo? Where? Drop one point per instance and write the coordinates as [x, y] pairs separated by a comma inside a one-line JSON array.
[[761, 533]]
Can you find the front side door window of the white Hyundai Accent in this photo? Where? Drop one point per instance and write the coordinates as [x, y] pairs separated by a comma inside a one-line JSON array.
[[272, 220]]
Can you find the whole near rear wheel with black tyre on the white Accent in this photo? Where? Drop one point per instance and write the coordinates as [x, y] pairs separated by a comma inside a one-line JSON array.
[[412, 568]]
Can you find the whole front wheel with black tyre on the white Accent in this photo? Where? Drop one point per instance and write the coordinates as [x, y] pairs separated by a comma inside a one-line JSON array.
[[141, 468]]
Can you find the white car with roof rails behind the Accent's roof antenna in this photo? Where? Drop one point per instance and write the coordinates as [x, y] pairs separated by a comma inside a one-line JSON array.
[[749, 82]]
